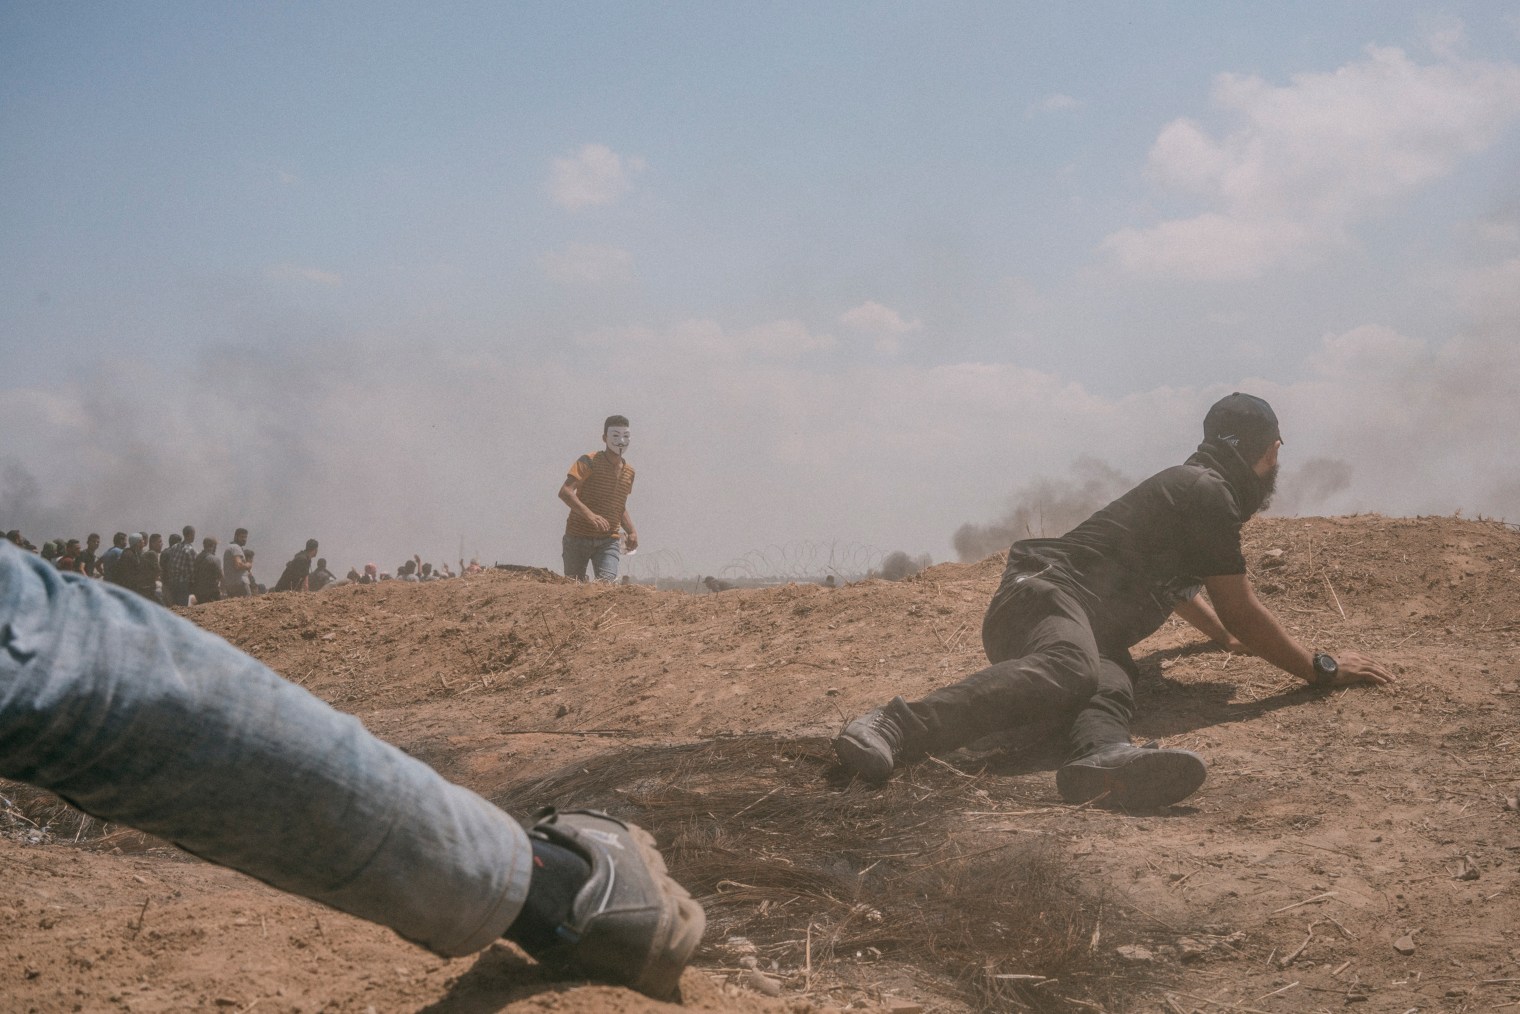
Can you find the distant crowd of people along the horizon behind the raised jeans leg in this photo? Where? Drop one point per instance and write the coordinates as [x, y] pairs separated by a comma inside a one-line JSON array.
[[179, 574]]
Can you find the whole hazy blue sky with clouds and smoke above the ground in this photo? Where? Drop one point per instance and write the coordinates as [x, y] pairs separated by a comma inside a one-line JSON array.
[[860, 273]]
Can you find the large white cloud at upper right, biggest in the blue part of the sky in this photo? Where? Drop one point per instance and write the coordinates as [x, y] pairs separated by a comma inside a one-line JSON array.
[[1308, 160]]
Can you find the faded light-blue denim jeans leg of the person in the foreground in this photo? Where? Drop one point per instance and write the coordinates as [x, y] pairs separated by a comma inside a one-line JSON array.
[[139, 717]]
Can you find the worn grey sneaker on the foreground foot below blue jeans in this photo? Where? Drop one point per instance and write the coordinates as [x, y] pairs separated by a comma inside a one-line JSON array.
[[632, 924]]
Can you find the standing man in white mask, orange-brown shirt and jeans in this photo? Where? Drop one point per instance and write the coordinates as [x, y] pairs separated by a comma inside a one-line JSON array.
[[597, 492]]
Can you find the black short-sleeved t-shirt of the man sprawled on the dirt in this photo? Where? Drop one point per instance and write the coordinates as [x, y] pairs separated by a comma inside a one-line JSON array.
[[1138, 559]]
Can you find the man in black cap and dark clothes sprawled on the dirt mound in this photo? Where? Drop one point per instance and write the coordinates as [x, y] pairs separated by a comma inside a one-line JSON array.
[[1060, 627]]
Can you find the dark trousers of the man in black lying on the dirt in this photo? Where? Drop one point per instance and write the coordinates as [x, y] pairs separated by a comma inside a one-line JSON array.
[[1047, 670]]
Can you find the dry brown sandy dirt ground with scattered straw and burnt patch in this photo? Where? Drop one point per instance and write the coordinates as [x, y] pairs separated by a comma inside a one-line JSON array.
[[1351, 851]]
